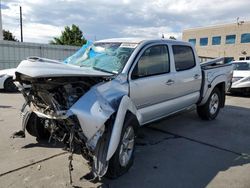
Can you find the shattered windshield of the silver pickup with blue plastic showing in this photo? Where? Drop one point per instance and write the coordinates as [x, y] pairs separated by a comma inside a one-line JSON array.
[[106, 57]]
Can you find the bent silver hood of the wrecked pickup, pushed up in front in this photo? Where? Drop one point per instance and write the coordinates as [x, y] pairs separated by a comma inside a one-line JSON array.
[[39, 67]]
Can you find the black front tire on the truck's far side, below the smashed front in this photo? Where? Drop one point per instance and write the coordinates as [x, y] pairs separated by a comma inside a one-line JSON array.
[[35, 127]]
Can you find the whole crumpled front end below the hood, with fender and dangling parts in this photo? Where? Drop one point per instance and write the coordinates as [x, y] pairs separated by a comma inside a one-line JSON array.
[[73, 109]]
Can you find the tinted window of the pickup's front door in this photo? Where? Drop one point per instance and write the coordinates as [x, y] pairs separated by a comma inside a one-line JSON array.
[[154, 60]]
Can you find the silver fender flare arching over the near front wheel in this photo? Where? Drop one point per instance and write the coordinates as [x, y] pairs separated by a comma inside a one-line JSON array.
[[125, 105]]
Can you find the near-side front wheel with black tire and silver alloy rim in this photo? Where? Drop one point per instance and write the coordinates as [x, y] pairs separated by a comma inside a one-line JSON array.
[[117, 165]]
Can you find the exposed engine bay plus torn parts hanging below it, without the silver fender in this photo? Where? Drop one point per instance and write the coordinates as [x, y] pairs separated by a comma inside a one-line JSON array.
[[48, 101]]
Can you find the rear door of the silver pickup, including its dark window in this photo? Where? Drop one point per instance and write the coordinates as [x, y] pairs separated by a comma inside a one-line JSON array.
[[187, 75]]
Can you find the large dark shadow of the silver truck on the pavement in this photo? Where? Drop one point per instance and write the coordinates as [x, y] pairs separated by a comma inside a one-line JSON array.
[[165, 160]]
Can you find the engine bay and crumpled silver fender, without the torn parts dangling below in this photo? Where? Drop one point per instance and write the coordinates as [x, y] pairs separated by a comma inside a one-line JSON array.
[[68, 101]]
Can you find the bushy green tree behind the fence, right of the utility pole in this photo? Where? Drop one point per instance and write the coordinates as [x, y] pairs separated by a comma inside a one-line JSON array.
[[70, 36]]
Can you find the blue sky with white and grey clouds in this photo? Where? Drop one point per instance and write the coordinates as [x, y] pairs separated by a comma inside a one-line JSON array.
[[45, 19]]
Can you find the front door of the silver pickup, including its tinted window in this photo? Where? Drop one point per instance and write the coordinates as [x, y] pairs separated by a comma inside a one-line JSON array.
[[151, 82]]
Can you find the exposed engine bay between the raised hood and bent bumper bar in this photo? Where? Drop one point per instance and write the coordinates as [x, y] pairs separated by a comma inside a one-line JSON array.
[[53, 95]]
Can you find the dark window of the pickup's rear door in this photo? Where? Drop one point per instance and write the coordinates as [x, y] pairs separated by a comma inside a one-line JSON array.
[[183, 57]]
